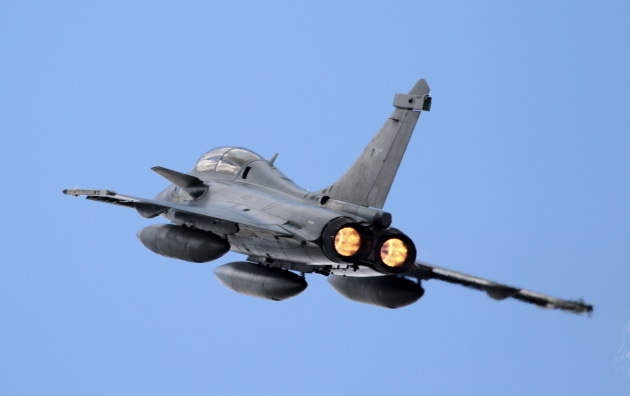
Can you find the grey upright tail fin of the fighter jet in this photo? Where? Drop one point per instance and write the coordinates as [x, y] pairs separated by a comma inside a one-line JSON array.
[[370, 178]]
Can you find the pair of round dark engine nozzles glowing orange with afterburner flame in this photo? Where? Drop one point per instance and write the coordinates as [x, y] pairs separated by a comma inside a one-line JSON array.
[[388, 250]]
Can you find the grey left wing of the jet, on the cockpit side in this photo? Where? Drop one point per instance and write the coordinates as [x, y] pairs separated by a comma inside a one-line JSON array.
[[150, 208]]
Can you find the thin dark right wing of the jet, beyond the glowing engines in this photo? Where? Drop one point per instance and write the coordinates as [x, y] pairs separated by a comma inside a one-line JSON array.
[[496, 290]]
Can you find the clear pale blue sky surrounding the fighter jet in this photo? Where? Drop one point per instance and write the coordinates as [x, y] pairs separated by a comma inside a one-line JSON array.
[[520, 173]]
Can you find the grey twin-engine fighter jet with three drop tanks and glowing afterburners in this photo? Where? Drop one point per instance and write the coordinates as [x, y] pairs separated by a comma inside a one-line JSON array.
[[235, 200]]
